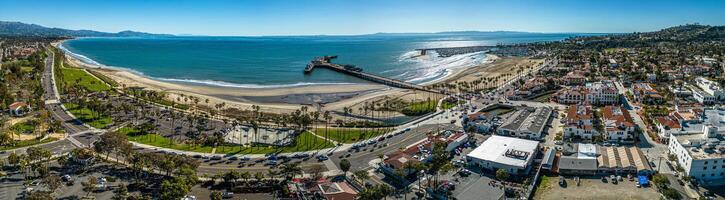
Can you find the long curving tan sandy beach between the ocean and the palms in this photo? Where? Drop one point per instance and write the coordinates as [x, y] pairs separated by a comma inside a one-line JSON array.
[[271, 99]]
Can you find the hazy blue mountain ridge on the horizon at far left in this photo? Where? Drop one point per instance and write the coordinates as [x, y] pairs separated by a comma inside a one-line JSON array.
[[23, 29]]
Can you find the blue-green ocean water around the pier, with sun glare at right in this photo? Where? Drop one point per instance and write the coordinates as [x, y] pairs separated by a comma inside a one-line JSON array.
[[279, 61]]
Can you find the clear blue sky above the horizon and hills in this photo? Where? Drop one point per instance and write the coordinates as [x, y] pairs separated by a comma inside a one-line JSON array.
[[337, 17]]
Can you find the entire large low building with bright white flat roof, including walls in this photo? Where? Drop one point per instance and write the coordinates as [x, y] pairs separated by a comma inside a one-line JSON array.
[[511, 154]]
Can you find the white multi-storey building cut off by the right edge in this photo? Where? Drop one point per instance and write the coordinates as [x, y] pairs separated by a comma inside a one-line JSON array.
[[701, 155]]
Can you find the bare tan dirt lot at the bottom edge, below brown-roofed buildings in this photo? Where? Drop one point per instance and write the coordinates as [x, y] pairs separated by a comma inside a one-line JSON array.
[[592, 188]]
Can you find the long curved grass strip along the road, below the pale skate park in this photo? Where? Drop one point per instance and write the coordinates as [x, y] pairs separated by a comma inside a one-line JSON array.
[[304, 142]]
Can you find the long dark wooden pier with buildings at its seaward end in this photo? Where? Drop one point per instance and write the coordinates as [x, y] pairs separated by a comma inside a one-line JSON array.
[[324, 62]]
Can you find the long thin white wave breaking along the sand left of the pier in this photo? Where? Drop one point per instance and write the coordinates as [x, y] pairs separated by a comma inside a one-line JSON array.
[[237, 85]]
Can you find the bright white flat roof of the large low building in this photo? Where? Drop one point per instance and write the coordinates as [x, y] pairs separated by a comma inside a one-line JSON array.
[[506, 150]]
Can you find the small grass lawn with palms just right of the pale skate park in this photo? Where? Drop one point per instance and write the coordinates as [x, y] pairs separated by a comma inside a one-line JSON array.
[[350, 135]]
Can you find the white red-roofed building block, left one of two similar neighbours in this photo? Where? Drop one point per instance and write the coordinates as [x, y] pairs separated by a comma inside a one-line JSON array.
[[578, 122]]
